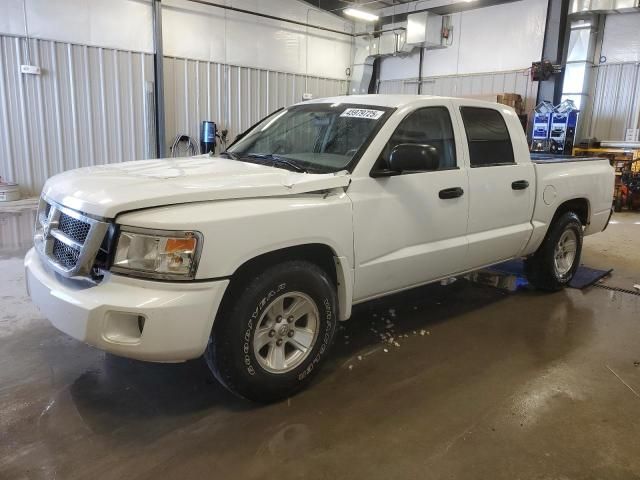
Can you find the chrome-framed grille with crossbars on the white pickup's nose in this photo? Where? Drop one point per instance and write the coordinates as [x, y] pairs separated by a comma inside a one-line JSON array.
[[68, 240]]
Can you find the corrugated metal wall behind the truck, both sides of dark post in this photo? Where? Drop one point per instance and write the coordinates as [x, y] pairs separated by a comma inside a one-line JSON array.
[[92, 106]]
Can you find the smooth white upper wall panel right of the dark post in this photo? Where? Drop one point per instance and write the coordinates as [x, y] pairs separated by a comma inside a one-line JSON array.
[[212, 34]]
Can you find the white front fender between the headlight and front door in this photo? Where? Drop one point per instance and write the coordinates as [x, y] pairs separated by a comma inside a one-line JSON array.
[[236, 231]]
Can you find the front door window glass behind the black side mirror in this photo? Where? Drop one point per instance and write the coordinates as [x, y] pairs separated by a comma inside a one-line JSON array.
[[427, 126]]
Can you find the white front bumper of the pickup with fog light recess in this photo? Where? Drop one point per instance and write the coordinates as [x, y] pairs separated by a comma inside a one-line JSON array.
[[142, 319]]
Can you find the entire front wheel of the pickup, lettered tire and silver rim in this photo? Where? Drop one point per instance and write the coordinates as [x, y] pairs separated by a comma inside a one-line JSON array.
[[271, 339]]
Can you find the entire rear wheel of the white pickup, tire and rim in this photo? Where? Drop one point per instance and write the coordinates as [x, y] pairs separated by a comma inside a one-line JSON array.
[[553, 266]]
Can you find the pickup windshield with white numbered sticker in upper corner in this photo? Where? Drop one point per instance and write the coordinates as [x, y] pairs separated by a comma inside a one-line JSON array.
[[316, 136]]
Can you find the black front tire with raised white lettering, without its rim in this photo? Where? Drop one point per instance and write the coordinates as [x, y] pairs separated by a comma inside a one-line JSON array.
[[230, 354]]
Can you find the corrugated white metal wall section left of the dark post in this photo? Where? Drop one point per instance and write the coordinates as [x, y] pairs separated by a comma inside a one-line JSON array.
[[88, 107]]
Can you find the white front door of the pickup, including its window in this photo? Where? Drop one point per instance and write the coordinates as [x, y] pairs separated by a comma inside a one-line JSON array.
[[411, 228]]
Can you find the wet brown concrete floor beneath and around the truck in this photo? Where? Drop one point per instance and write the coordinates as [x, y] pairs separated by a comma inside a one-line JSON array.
[[486, 384]]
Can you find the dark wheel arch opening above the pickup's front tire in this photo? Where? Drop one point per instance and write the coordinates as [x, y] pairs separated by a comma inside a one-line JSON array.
[[320, 254]]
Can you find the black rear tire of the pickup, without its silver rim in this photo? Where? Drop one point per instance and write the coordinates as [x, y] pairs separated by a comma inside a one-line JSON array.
[[540, 267]]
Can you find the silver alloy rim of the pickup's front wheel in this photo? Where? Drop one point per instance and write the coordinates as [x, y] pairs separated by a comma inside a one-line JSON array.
[[286, 332]]
